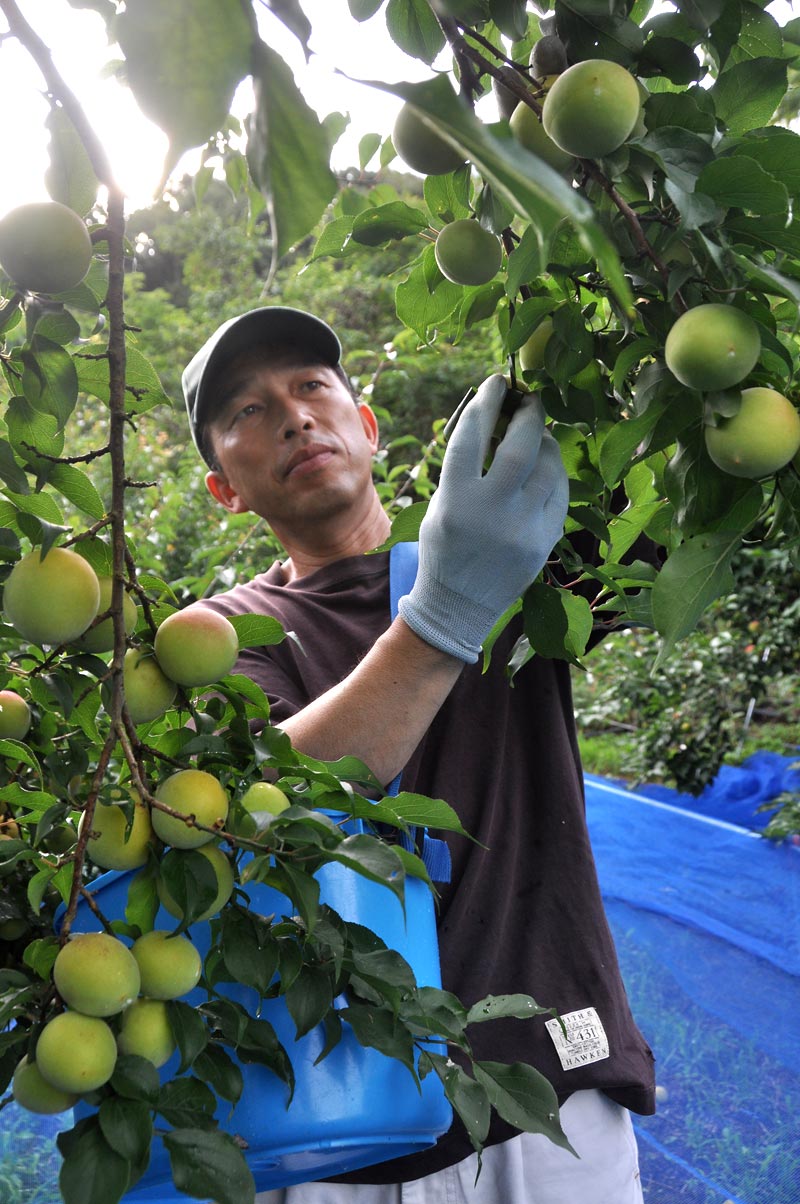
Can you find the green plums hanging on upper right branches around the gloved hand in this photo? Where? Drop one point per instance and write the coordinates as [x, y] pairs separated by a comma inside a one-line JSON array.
[[589, 111]]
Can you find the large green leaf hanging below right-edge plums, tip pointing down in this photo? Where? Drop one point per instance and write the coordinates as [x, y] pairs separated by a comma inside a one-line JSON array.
[[692, 577]]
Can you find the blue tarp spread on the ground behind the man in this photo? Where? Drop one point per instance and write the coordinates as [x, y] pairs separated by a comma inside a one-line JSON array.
[[707, 918]]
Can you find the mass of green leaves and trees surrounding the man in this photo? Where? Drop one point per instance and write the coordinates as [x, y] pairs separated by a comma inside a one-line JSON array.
[[697, 206]]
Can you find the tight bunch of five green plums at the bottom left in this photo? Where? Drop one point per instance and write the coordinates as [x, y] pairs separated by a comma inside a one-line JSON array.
[[116, 999]]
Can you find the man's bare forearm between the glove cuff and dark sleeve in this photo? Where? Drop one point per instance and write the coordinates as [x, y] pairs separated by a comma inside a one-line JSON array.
[[381, 711]]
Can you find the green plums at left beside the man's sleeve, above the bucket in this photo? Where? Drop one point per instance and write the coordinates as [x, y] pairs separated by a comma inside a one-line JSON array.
[[57, 599]]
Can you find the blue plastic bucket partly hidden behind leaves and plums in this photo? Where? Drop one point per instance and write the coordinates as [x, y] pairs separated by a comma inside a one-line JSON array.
[[357, 1107]]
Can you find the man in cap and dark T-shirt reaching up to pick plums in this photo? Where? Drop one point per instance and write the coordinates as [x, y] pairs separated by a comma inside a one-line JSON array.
[[274, 417]]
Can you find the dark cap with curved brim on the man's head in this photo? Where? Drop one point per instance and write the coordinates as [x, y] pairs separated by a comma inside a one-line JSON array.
[[270, 327]]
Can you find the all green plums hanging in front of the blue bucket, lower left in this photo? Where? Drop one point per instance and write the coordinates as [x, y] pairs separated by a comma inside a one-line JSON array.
[[116, 996]]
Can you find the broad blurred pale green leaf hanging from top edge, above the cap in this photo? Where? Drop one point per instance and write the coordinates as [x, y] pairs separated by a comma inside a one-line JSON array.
[[184, 62]]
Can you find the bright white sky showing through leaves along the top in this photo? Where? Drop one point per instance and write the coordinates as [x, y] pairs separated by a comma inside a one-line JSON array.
[[136, 146]]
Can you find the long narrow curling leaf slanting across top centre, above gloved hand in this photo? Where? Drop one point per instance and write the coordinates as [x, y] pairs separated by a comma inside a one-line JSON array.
[[530, 186]]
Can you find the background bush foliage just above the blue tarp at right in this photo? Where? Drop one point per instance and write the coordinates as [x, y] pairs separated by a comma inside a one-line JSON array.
[[680, 724]]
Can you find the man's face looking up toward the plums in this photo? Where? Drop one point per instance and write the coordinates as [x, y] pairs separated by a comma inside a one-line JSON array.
[[292, 445]]
